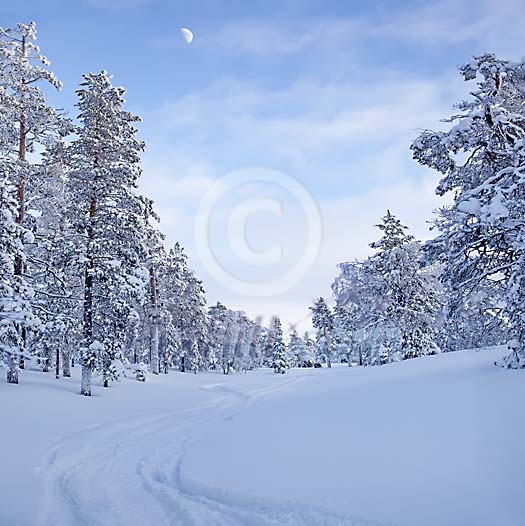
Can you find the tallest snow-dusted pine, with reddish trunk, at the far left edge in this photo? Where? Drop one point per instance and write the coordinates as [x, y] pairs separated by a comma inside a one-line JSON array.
[[26, 122]]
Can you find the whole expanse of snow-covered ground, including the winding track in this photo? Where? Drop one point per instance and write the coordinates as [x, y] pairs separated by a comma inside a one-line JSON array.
[[432, 441]]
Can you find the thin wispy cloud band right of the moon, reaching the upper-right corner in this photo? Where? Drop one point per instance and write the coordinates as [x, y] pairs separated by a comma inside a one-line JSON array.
[[443, 22]]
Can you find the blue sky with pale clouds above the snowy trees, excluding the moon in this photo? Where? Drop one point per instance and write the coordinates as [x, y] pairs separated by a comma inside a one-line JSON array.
[[279, 136]]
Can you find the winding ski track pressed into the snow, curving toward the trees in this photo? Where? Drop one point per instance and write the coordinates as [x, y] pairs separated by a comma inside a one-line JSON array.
[[128, 472]]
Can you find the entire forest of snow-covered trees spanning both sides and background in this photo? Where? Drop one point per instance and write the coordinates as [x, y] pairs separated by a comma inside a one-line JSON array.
[[87, 281]]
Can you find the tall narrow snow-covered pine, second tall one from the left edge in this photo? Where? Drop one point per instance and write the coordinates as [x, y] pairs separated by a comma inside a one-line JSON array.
[[109, 217]]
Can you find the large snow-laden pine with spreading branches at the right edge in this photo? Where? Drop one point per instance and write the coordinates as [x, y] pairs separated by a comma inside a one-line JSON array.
[[482, 159]]
